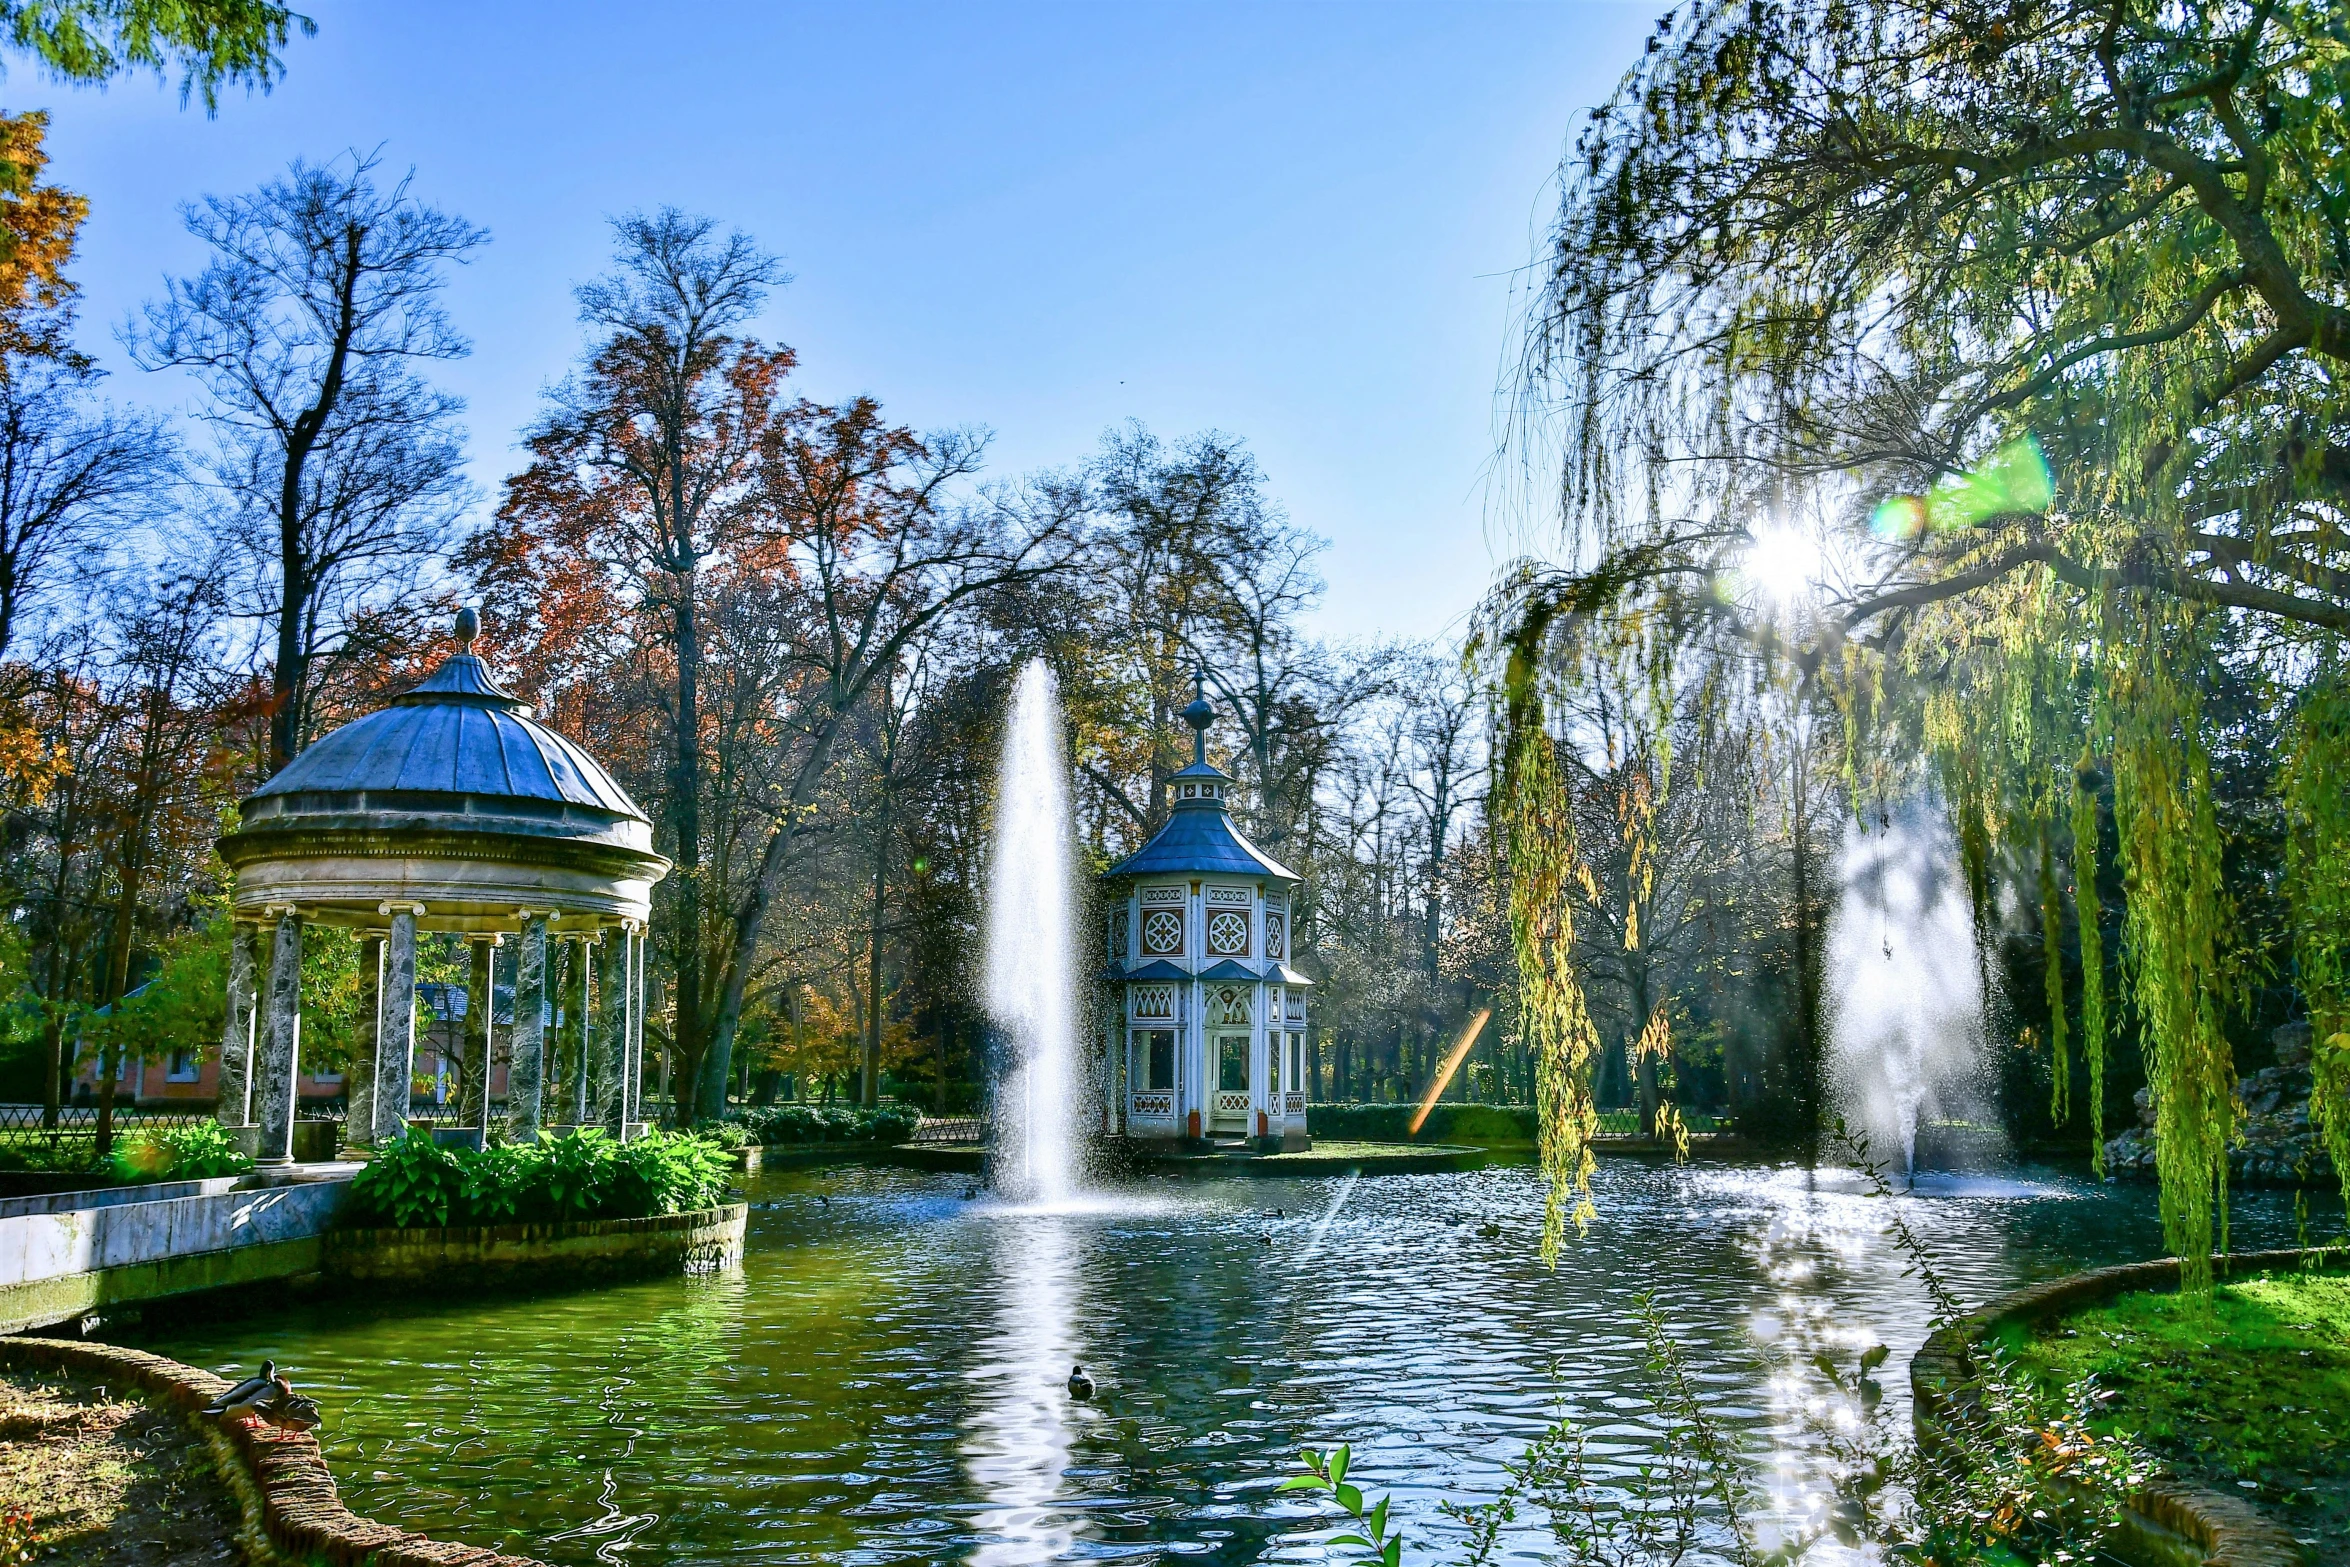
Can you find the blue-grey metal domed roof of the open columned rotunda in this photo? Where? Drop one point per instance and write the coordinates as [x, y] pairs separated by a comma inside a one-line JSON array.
[[455, 734]]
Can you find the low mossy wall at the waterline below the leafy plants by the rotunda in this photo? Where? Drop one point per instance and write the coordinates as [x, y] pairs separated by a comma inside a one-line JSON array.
[[537, 1253]]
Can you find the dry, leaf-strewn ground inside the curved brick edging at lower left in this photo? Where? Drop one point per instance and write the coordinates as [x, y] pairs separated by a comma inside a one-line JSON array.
[[109, 1481]]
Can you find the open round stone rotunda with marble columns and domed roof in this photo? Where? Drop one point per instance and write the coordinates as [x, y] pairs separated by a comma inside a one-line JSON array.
[[455, 812]]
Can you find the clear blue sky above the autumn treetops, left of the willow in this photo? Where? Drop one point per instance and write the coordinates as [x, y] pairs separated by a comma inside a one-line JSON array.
[[1301, 224]]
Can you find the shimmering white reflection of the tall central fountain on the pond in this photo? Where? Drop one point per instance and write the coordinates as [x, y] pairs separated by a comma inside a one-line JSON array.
[[1016, 1444]]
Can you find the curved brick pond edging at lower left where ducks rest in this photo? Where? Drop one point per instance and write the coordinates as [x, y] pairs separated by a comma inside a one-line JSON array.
[[293, 1512]]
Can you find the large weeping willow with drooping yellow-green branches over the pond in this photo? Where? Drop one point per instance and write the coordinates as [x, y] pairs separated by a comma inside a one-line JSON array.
[[2046, 304]]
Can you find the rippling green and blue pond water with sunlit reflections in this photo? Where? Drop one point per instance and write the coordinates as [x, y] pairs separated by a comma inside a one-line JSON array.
[[882, 1378]]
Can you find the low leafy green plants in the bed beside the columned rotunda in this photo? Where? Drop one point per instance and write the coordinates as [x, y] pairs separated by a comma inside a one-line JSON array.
[[579, 1176]]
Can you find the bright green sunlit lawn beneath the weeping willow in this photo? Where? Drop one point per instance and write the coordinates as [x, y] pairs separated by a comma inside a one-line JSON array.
[[2248, 1394]]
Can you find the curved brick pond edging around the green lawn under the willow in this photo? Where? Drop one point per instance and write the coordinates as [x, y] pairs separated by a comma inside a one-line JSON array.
[[2168, 1524]]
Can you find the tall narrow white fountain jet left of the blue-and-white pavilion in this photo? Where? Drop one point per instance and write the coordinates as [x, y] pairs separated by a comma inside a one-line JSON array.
[[1030, 950]]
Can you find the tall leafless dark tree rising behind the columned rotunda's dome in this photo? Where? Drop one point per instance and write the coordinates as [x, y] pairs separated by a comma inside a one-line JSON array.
[[342, 466]]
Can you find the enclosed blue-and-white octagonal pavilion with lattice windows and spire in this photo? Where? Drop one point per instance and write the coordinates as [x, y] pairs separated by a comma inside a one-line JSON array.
[[1211, 1030]]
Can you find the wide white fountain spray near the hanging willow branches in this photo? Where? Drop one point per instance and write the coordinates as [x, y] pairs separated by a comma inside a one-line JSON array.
[[1902, 978]]
